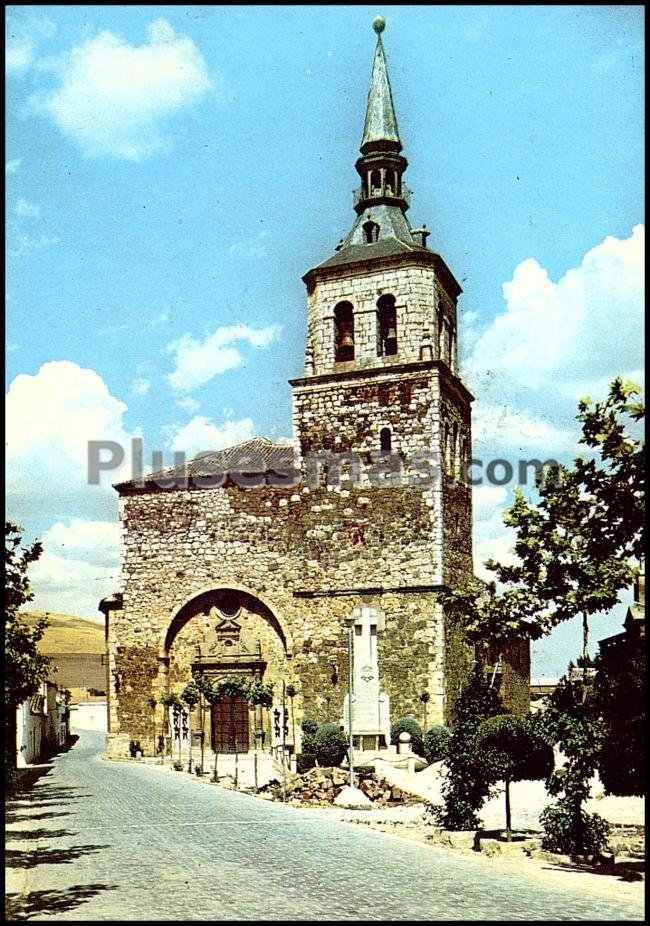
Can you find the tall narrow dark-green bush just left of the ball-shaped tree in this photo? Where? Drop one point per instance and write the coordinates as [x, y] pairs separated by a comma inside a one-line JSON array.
[[467, 778]]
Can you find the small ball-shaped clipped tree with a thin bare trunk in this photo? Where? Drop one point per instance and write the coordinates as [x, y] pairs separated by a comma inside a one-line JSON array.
[[513, 752]]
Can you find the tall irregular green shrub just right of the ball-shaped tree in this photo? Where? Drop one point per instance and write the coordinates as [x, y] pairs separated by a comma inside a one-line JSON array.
[[571, 721]]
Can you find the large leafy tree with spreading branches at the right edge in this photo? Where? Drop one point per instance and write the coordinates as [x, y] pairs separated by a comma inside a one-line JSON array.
[[577, 544]]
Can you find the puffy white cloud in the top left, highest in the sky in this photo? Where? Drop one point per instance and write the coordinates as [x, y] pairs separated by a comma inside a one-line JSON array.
[[113, 98]]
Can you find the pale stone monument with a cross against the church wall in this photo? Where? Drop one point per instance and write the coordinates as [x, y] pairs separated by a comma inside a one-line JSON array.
[[370, 705]]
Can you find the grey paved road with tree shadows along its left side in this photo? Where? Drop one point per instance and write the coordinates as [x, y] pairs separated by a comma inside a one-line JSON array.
[[98, 840]]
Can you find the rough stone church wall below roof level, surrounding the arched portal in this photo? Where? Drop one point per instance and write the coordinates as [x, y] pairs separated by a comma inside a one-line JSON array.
[[283, 546]]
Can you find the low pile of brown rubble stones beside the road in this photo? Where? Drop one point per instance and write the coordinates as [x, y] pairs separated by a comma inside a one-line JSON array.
[[322, 786]]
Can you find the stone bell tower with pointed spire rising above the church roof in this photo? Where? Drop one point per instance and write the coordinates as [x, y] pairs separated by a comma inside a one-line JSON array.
[[381, 376]]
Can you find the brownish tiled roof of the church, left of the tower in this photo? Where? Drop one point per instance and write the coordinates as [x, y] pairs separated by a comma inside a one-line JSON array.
[[258, 455]]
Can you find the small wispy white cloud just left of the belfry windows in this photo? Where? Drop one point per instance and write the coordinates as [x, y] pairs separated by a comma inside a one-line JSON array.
[[197, 362]]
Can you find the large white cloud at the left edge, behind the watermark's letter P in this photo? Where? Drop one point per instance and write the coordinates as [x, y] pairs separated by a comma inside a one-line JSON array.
[[51, 416]]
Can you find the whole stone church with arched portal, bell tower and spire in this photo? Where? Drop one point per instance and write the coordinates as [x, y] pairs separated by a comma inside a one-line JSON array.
[[256, 560]]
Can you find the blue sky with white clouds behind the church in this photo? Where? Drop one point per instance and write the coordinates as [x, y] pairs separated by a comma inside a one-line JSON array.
[[173, 171]]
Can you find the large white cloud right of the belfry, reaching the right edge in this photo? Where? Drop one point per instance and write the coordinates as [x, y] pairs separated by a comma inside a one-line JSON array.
[[567, 334]]
